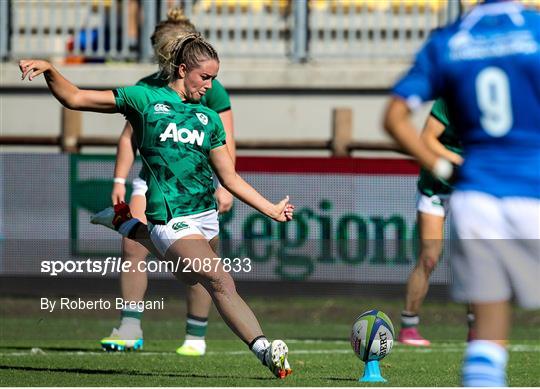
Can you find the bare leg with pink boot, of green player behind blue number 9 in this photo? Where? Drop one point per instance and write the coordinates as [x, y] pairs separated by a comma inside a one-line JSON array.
[[430, 234]]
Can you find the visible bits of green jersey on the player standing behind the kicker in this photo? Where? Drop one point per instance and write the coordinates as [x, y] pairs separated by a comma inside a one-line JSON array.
[[215, 98]]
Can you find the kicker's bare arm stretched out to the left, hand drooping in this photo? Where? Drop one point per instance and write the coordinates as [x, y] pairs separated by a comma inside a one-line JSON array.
[[65, 92]]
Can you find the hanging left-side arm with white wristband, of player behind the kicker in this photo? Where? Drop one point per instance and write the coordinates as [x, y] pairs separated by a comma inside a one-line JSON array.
[[125, 157]]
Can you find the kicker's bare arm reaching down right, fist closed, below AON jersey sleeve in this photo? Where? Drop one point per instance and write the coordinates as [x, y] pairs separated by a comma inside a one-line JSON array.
[[224, 168]]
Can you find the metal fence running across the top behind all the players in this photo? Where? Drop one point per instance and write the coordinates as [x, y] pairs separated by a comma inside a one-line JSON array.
[[296, 29]]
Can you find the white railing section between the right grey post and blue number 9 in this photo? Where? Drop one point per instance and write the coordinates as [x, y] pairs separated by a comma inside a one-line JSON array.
[[372, 29]]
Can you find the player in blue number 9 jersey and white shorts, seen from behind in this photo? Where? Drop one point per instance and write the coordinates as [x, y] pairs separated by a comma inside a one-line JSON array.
[[486, 66]]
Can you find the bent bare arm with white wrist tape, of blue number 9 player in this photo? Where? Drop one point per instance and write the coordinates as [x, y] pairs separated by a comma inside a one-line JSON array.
[[398, 123]]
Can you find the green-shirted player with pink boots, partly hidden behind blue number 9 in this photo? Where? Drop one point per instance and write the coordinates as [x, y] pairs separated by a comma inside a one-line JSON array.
[[432, 207]]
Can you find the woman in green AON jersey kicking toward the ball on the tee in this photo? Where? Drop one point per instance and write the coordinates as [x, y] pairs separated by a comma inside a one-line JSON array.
[[181, 142]]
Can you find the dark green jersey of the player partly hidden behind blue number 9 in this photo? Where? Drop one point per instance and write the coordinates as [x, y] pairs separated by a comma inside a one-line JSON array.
[[427, 184]]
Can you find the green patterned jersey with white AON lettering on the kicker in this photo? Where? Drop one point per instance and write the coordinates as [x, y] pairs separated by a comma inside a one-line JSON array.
[[174, 140]]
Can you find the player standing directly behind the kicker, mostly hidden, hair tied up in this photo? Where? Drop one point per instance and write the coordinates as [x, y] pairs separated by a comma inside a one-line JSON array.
[[134, 282]]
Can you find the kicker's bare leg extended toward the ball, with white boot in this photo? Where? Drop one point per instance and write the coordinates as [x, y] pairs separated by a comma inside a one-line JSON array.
[[234, 311]]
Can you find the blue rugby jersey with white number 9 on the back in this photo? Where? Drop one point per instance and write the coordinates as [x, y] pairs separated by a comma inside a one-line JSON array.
[[486, 66]]
